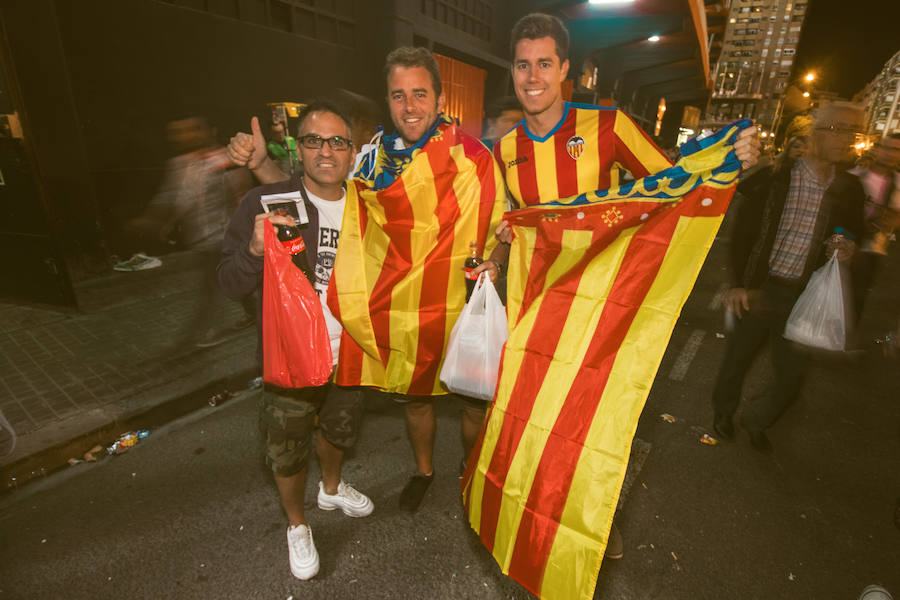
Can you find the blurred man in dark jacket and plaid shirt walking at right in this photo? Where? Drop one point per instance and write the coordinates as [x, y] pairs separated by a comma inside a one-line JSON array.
[[790, 221]]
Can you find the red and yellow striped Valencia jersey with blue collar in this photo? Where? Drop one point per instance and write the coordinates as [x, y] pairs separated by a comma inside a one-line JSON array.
[[577, 156]]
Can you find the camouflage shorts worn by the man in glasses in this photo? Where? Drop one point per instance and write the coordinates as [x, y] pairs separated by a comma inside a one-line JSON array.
[[287, 420]]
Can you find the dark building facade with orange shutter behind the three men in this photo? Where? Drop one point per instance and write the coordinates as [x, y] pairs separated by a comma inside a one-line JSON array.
[[88, 88]]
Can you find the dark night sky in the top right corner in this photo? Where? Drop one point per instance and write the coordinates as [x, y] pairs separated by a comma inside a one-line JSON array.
[[846, 43]]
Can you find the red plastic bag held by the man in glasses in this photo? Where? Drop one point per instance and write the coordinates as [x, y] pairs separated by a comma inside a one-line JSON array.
[[296, 346]]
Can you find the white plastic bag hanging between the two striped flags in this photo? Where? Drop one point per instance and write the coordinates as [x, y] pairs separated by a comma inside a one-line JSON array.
[[472, 360]]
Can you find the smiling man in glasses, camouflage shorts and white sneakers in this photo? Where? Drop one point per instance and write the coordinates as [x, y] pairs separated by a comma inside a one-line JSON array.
[[287, 416]]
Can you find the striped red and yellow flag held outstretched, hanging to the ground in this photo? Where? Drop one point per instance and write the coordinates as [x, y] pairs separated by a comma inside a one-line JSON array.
[[596, 284]]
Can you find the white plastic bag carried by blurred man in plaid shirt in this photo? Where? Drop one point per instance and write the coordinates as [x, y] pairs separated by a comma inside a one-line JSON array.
[[820, 316]]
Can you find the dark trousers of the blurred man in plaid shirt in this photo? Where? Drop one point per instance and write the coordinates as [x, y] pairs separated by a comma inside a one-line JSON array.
[[769, 310]]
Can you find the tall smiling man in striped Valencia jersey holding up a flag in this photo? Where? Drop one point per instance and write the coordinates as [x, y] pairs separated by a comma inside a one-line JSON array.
[[562, 149]]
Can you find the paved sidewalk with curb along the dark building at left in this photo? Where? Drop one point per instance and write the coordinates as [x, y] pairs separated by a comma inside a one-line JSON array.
[[125, 351]]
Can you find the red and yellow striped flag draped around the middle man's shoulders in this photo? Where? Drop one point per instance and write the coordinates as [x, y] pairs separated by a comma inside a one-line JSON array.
[[398, 283]]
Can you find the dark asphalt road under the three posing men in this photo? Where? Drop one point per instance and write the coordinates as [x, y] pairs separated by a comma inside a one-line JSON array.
[[192, 513]]
